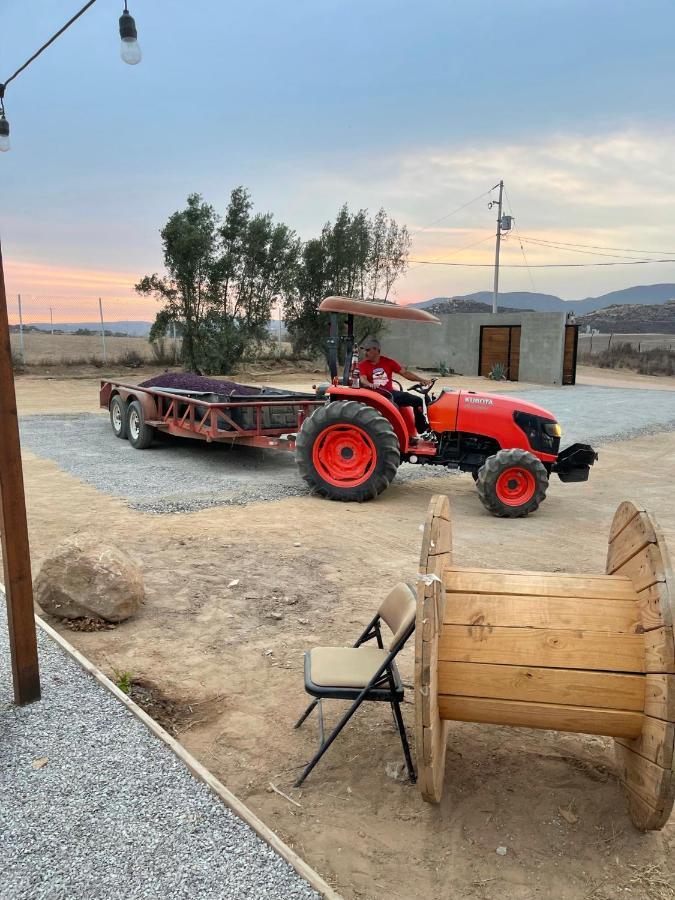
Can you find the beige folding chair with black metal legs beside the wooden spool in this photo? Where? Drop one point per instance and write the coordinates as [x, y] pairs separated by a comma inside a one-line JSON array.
[[362, 673]]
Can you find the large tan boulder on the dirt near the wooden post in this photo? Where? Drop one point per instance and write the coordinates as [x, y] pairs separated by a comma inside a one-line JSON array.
[[85, 577]]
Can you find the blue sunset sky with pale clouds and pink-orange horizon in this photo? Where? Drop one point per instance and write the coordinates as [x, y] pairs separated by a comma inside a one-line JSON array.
[[417, 108]]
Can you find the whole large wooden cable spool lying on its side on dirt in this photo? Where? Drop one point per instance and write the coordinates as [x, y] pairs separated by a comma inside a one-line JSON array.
[[580, 653]]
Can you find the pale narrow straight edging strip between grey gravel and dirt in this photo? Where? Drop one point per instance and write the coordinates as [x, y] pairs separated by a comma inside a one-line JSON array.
[[197, 769]]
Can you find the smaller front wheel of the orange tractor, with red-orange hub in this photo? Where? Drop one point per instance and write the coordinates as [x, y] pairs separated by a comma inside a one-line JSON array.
[[512, 483]]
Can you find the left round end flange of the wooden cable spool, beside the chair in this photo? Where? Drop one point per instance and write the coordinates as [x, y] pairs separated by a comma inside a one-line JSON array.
[[430, 731]]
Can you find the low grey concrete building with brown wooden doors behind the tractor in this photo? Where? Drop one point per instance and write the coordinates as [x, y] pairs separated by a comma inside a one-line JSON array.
[[532, 346]]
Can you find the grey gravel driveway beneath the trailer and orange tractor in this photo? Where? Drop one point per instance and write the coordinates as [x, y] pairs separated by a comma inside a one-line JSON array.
[[182, 475]]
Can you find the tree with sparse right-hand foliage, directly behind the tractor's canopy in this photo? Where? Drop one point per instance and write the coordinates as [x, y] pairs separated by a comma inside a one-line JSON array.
[[355, 257]]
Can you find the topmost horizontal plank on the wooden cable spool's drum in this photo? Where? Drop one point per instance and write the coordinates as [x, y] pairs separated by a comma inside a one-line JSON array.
[[456, 579]]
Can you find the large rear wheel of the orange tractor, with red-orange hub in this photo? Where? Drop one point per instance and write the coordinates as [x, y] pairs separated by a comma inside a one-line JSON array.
[[347, 451]]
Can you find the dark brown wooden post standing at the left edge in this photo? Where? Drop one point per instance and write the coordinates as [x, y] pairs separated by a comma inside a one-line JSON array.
[[14, 528]]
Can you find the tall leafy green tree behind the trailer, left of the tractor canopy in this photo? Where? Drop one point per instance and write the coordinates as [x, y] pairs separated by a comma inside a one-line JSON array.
[[223, 277]]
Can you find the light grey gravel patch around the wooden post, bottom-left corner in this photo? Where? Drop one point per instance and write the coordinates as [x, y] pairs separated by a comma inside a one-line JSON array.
[[111, 812]]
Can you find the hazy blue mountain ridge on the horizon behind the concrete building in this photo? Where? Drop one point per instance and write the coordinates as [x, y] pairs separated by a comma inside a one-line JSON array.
[[647, 295]]
